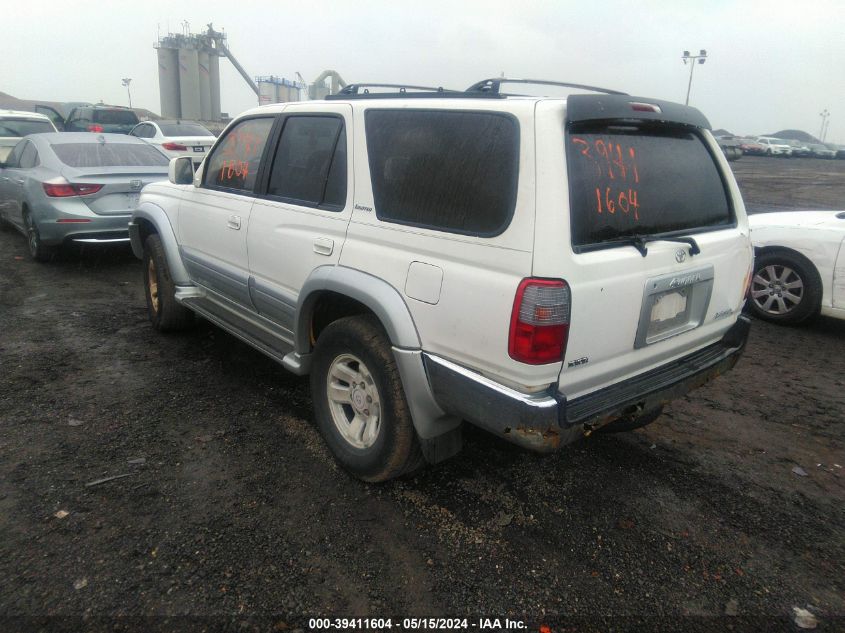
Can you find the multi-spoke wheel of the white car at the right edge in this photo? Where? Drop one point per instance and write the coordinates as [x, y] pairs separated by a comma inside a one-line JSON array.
[[785, 288]]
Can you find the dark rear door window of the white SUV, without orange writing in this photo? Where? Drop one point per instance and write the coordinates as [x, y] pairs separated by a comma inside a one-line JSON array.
[[309, 165]]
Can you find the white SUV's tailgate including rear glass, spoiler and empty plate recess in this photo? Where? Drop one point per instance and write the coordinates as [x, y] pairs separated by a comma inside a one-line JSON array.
[[655, 243]]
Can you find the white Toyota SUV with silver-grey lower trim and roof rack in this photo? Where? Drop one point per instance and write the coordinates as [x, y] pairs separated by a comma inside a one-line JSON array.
[[539, 267]]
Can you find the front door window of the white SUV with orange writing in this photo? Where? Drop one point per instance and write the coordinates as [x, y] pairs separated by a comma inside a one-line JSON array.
[[234, 162]]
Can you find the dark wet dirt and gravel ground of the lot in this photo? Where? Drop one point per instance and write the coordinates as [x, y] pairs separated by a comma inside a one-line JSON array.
[[230, 514]]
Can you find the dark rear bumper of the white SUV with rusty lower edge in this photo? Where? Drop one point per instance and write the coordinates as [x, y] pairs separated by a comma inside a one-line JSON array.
[[546, 421]]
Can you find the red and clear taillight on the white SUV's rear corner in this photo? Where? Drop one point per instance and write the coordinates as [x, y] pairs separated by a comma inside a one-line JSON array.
[[540, 321]]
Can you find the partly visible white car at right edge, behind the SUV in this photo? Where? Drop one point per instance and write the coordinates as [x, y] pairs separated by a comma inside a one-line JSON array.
[[799, 268]]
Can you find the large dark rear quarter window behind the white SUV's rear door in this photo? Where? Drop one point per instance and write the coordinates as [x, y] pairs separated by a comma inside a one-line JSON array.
[[454, 171]]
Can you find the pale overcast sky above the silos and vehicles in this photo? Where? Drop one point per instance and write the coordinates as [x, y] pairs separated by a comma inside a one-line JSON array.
[[771, 65]]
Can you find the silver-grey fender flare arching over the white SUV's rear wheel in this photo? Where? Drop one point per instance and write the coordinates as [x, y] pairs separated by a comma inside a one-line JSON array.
[[379, 296]]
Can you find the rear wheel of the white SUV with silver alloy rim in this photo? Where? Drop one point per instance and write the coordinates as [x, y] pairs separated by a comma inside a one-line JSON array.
[[359, 402]]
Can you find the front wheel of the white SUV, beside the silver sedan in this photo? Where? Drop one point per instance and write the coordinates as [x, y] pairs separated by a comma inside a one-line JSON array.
[[165, 313]]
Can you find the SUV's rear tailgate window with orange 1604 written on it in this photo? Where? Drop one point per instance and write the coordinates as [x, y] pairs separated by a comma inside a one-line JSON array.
[[626, 181]]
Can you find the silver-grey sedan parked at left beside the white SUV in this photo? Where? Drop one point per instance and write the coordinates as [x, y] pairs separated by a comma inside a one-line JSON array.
[[80, 187]]
